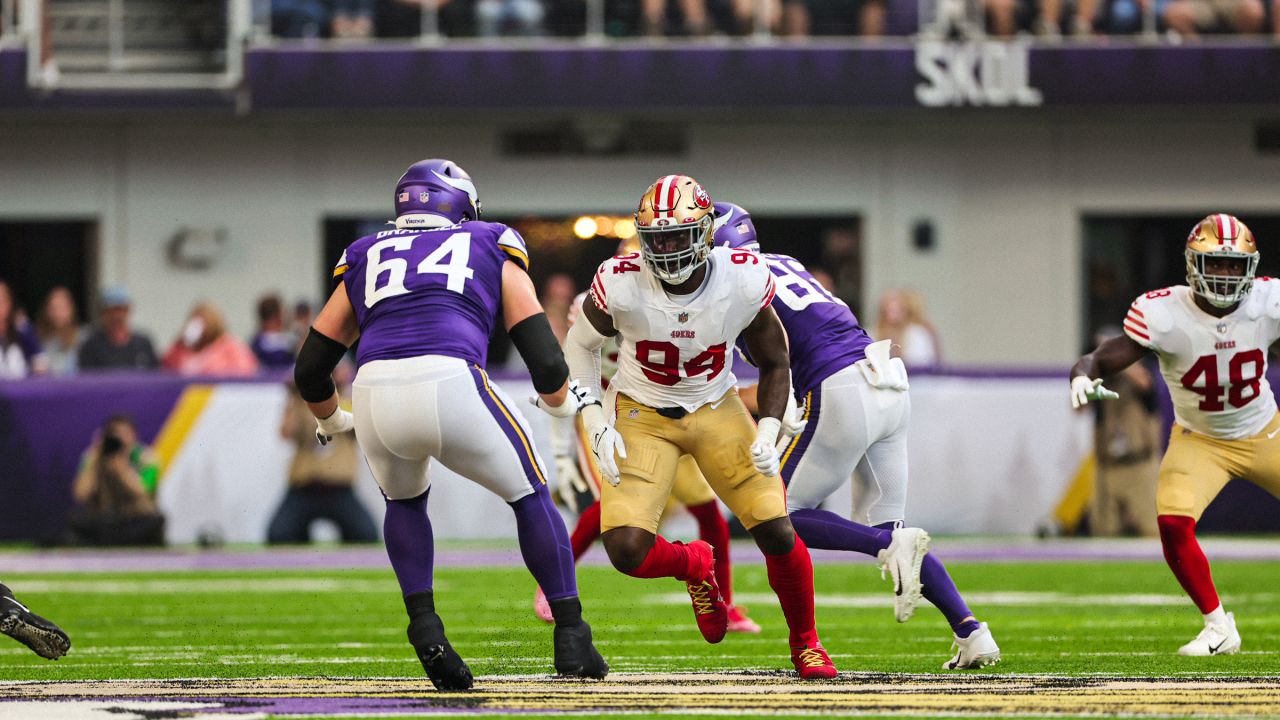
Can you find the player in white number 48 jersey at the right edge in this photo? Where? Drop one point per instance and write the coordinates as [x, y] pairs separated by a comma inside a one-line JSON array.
[[1212, 338]]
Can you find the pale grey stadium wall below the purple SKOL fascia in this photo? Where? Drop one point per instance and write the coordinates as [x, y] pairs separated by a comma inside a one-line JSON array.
[[1005, 190]]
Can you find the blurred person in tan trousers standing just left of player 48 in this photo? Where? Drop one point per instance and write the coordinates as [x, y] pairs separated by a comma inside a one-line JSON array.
[[1127, 446]]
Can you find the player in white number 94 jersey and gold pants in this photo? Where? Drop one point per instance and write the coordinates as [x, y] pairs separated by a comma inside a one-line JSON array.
[[678, 308]]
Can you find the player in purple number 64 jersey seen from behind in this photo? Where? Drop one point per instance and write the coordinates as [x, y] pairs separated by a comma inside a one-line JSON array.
[[423, 300]]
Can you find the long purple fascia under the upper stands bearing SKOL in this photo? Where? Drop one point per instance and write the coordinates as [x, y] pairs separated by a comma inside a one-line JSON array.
[[898, 72]]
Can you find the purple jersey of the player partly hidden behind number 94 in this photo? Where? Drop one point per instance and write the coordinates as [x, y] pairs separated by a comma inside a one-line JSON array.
[[824, 334]]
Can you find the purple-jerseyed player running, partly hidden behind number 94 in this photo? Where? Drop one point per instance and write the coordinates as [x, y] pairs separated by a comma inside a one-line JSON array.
[[856, 416]]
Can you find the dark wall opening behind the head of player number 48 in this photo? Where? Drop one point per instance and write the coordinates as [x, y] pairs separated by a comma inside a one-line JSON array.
[[1127, 256]]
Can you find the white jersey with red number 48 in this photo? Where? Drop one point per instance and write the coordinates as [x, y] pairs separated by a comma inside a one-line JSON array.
[[1215, 367]]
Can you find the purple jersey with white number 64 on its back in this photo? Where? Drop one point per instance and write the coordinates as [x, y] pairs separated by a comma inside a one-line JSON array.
[[429, 291]]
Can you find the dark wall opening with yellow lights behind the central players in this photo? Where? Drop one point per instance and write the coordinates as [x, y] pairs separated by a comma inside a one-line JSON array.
[[566, 250]]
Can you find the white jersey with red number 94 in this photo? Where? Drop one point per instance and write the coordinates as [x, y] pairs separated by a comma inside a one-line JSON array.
[[678, 350]]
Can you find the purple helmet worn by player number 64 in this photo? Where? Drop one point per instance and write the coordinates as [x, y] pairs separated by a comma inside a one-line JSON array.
[[435, 190]]
